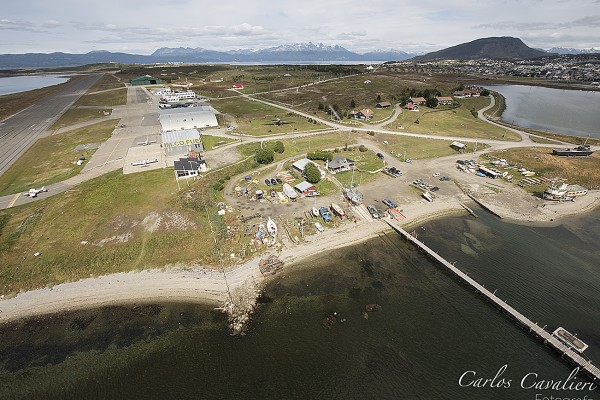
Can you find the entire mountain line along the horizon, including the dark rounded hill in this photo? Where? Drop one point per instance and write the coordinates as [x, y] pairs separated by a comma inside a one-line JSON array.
[[491, 48]]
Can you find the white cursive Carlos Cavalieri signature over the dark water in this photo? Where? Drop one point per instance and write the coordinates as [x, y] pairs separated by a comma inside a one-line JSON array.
[[529, 381]]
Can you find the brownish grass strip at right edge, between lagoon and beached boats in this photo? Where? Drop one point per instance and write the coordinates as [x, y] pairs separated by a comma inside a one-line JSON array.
[[576, 170]]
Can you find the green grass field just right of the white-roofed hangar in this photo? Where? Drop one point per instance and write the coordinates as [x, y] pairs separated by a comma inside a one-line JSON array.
[[256, 119]]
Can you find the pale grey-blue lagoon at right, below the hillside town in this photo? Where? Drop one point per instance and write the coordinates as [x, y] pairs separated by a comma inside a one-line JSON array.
[[570, 112]]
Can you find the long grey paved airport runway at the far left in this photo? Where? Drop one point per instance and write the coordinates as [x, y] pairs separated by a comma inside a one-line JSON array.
[[19, 132]]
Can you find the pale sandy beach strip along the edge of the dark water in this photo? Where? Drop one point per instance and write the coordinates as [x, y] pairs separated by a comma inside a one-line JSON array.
[[202, 285]]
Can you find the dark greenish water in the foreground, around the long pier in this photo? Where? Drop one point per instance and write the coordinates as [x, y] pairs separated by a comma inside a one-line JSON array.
[[431, 330]]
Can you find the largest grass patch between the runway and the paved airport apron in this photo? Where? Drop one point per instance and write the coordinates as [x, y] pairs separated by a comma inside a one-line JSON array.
[[51, 159]]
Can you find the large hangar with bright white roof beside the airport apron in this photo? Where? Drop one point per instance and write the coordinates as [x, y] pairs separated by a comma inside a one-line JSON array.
[[172, 119]]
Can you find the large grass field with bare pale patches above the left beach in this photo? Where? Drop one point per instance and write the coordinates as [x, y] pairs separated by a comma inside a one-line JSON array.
[[116, 223]]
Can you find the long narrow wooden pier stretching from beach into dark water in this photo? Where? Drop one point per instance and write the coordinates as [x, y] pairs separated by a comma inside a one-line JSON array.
[[575, 358]]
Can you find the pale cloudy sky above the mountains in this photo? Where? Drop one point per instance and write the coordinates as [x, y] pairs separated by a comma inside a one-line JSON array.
[[140, 27]]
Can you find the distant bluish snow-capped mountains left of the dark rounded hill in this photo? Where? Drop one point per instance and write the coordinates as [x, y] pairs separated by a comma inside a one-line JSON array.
[[298, 52]]
